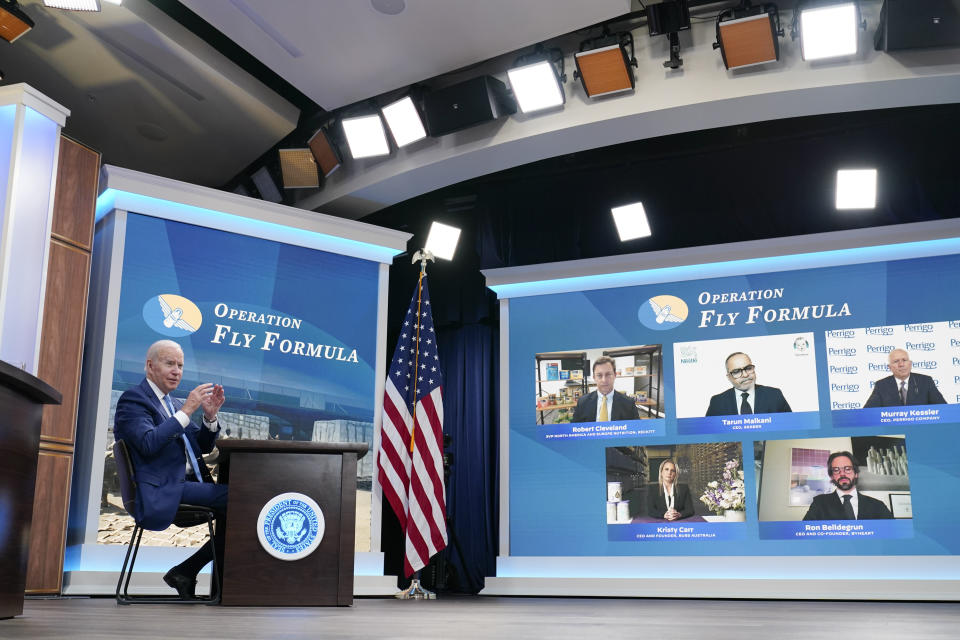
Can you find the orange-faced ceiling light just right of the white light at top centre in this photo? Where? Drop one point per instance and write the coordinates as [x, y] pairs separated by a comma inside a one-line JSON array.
[[603, 65]]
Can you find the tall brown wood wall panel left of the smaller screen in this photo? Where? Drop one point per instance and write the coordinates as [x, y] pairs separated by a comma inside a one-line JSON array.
[[61, 353]]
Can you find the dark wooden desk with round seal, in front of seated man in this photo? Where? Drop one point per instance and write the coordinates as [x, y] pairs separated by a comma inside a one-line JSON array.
[[257, 471]]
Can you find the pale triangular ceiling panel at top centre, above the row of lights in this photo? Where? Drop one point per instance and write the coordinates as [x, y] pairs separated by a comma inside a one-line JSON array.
[[338, 52]]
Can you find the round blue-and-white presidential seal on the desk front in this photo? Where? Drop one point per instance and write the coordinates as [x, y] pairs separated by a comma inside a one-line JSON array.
[[290, 526]]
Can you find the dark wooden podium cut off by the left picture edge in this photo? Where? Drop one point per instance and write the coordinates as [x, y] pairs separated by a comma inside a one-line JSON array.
[[22, 397]]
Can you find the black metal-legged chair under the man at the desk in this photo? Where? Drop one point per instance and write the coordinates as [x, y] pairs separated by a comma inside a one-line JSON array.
[[187, 516]]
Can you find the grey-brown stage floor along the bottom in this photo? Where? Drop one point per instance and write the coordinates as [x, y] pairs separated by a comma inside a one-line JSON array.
[[466, 617]]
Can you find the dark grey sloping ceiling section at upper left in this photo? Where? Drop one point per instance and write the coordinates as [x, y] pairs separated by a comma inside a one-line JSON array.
[[146, 92]]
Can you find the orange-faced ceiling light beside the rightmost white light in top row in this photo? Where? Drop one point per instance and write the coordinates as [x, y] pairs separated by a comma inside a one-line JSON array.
[[747, 35]]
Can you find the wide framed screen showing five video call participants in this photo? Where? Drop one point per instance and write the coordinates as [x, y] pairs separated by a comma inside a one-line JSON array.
[[813, 329]]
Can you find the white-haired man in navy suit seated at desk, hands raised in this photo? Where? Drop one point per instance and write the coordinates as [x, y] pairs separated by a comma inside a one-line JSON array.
[[165, 449]]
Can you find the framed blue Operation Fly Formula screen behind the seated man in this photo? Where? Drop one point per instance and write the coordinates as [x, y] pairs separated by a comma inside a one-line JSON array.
[[286, 313]]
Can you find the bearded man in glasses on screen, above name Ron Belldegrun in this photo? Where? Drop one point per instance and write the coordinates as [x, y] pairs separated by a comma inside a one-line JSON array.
[[846, 503]]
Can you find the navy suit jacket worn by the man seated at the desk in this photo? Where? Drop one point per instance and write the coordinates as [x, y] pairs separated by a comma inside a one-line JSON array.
[[157, 453]]
